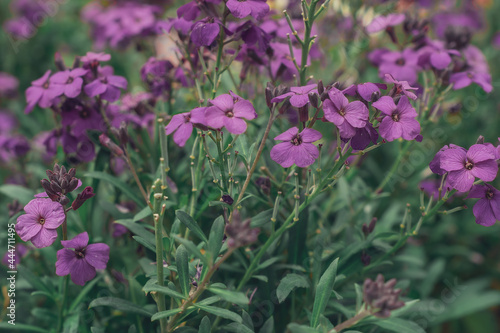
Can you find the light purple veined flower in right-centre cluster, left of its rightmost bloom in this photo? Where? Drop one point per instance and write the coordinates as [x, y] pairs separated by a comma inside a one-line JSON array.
[[346, 116]]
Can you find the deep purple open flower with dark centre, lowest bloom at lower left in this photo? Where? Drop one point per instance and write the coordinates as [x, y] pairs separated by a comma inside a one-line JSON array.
[[81, 262]]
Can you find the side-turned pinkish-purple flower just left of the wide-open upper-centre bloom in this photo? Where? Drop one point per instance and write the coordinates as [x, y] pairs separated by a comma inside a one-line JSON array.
[[182, 124]]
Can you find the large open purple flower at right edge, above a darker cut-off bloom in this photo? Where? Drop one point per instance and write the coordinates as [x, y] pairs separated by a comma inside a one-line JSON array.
[[464, 166]]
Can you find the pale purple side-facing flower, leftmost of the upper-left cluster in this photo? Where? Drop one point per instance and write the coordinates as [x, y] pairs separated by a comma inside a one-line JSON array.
[[43, 92]]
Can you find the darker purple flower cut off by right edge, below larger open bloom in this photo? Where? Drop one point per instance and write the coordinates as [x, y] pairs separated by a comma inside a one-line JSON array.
[[486, 210]]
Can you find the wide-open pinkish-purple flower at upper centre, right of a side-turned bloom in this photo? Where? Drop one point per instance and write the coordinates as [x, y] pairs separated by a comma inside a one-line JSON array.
[[228, 111]]
